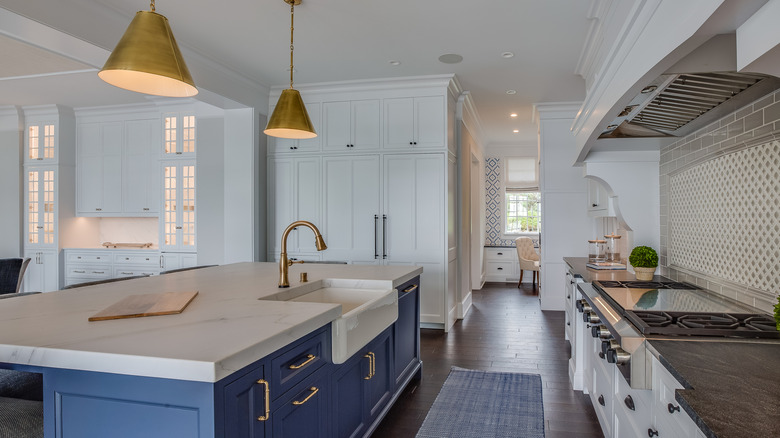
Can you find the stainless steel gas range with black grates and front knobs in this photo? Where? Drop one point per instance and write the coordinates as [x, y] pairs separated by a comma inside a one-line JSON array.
[[625, 314]]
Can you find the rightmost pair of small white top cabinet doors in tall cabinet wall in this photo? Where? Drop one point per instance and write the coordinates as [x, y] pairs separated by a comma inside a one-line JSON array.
[[415, 122]]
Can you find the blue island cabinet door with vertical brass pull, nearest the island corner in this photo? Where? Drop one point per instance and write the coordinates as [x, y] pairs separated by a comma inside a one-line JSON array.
[[247, 405]]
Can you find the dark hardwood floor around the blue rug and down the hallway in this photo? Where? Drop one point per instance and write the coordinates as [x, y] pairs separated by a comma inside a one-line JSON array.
[[505, 330]]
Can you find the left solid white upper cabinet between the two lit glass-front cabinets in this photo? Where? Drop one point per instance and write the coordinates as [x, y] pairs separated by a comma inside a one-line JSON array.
[[100, 168]]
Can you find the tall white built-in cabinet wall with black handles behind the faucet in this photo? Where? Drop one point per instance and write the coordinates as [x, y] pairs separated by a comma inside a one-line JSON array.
[[378, 182]]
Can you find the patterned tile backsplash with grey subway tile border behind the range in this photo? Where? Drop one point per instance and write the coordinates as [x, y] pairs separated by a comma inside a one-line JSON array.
[[720, 203]]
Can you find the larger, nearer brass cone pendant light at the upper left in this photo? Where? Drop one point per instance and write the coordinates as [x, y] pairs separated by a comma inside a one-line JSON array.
[[147, 59]]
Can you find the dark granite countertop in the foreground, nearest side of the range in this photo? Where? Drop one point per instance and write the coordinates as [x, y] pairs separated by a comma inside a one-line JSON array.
[[732, 388]]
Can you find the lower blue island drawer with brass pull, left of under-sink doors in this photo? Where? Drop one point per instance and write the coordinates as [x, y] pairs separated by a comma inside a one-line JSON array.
[[304, 411]]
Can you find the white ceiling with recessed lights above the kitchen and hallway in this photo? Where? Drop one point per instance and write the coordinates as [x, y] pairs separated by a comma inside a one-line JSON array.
[[335, 40]]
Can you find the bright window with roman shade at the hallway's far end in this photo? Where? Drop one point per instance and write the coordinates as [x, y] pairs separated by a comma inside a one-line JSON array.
[[521, 196]]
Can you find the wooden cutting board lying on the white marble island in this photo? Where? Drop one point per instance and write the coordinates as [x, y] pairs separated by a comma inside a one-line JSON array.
[[135, 306]]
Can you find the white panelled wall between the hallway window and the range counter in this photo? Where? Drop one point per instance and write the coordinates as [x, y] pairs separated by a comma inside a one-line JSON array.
[[565, 223]]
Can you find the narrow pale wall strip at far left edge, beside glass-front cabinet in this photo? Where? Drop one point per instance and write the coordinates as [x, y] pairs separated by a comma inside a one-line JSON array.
[[10, 182]]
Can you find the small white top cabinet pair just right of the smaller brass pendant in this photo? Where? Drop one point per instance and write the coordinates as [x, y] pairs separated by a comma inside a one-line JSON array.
[[351, 125]]
